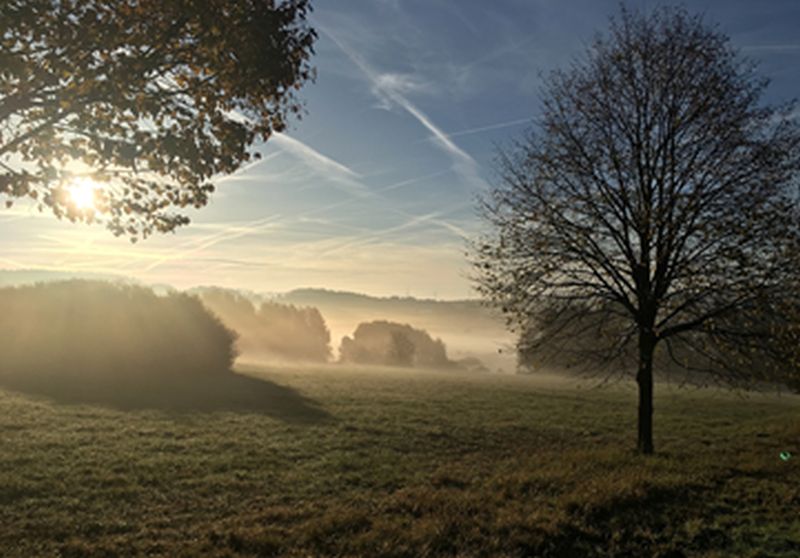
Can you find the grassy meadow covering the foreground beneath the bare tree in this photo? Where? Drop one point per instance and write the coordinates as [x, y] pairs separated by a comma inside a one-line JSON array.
[[333, 462]]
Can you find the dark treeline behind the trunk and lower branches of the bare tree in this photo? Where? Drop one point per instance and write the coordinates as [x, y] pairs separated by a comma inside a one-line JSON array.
[[748, 347]]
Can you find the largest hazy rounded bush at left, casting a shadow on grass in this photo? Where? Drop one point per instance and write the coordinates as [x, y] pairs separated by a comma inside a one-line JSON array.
[[88, 330]]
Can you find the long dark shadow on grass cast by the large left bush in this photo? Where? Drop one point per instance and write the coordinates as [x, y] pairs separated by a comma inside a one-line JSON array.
[[227, 391]]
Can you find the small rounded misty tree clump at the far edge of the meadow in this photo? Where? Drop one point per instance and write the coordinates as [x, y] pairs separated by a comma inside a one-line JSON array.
[[393, 344]]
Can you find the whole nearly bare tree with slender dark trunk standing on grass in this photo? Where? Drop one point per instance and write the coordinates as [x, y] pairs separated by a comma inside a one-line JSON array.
[[654, 205]]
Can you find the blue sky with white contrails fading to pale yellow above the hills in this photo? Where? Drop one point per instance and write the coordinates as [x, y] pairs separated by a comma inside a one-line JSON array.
[[374, 189]]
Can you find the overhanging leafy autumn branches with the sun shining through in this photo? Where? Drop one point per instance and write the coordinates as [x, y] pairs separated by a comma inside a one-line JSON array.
[[149, 99]]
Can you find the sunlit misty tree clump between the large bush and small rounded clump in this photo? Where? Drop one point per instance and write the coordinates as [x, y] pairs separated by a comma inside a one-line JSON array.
[[271, 330]]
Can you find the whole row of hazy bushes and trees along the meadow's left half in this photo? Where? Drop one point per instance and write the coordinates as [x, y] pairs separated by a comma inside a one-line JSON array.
[[94, 330]]
